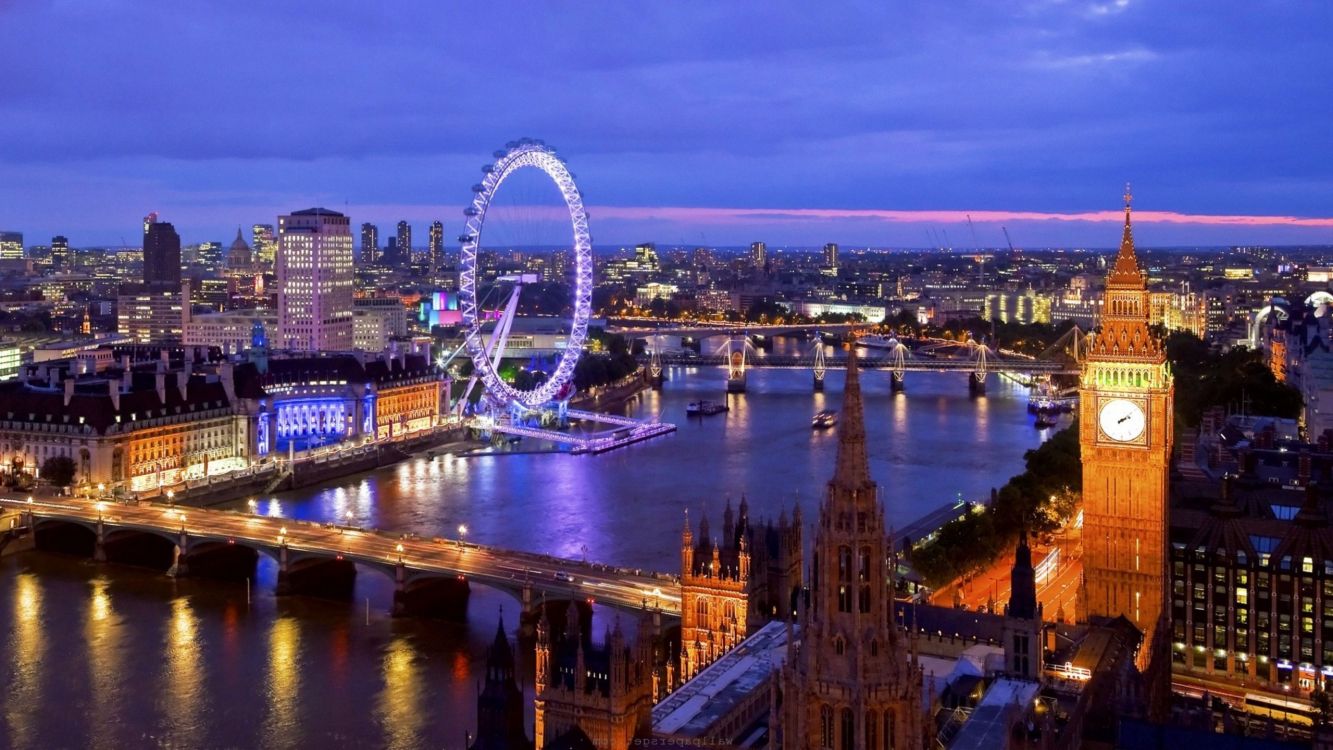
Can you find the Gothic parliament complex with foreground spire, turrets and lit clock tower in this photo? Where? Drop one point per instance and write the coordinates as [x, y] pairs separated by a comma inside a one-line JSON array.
[[780, 651]]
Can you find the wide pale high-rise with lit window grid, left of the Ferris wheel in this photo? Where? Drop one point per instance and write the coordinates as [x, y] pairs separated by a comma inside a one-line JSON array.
[[315, 282]]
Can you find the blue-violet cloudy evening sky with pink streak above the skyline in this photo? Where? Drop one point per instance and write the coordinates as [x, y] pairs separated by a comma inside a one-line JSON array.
[[694, 123]]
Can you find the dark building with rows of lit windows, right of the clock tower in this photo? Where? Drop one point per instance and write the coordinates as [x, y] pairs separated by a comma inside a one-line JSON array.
[[1252, 576]]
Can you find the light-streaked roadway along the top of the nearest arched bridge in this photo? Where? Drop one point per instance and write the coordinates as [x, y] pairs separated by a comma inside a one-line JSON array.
[[489, 565]]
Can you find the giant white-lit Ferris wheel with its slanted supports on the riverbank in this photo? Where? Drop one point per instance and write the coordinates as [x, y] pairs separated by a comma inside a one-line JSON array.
[[486, 355]]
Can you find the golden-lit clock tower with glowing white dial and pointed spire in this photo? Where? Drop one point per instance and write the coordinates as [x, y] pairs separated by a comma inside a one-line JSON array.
[[1126, 438]]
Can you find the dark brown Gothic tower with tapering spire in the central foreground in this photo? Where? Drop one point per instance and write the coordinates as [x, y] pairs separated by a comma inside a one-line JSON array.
[[852, 681]]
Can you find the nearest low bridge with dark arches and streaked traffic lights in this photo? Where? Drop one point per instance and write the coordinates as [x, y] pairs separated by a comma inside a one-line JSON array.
[[427, 572]]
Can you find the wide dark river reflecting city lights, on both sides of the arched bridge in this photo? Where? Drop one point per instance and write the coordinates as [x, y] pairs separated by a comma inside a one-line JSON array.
[[111, 657]]
